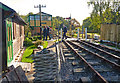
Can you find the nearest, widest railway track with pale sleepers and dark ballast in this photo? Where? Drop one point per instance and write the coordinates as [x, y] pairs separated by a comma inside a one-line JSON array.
[[91, 65]]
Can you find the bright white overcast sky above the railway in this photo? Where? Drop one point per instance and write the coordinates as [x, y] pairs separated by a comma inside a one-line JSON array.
[[77, 8]]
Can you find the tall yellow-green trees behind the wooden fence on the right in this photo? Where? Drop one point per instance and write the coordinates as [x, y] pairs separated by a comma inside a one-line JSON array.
[[103, 13]]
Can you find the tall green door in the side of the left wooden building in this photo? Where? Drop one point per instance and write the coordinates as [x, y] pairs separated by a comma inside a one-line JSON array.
[[9, 41]]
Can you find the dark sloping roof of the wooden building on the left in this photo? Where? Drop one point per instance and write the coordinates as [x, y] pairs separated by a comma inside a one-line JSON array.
[[9, 12]]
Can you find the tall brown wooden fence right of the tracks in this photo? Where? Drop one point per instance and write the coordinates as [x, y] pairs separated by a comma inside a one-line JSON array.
[[110, 32]]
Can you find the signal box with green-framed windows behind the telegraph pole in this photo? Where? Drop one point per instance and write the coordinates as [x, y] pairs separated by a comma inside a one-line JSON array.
[[34, 21]]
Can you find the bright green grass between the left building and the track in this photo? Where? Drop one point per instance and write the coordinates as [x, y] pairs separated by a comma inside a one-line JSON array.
[[28, 52]]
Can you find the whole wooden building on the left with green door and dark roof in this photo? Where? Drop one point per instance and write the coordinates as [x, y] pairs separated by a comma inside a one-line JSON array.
[[12, 34]]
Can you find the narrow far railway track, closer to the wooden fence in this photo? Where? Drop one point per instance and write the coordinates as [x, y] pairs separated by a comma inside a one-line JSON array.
[[109, 56]]
